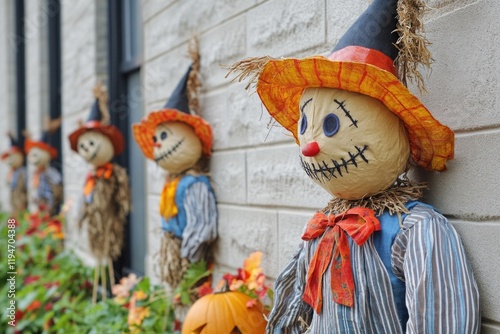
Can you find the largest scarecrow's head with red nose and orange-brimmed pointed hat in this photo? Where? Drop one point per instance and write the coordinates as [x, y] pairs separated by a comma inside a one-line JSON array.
[[356, 123]]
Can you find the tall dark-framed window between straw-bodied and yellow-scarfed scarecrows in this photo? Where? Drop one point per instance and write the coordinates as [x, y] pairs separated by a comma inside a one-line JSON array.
[[125, 96]]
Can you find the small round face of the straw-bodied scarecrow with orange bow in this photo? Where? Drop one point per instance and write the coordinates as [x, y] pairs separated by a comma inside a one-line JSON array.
[[95, 148]]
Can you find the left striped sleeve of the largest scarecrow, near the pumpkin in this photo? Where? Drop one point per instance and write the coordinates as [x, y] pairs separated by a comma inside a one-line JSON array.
[[290, 315]]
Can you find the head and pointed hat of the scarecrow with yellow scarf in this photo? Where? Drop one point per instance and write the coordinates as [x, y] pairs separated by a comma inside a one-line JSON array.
[[173, 137]]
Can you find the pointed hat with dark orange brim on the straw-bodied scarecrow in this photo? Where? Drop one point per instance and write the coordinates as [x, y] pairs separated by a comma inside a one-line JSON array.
[[98, 121]]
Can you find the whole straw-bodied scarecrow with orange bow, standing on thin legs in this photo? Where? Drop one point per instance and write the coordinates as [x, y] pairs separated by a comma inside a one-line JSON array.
[[106, 191]]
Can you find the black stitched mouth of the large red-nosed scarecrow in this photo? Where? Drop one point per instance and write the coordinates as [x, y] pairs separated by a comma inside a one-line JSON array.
[[324, 171]]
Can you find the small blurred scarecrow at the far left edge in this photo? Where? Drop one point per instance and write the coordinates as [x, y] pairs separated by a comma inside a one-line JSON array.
[[17, 176]]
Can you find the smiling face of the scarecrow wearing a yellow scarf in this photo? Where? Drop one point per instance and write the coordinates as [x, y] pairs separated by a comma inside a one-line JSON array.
[[176, 147]]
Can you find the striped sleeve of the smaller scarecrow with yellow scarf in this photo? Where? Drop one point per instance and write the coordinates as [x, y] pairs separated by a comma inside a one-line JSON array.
[[201, 225]]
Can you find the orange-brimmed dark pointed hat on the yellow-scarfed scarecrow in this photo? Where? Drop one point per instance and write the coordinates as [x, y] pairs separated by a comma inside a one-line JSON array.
[[175, 110]]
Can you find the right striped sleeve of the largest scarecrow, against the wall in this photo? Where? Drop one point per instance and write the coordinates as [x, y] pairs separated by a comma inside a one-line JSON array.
[[441, 292]]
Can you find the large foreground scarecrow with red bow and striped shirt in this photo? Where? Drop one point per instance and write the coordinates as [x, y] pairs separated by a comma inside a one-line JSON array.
[[374, 260]]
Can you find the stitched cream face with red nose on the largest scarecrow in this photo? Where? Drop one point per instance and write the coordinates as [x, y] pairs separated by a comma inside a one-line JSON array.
[[351, 144]]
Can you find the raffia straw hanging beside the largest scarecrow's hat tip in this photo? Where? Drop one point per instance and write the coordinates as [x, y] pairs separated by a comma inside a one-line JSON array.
[[412, 44]]
